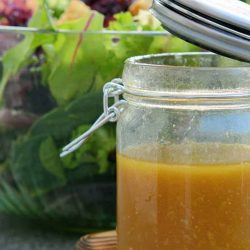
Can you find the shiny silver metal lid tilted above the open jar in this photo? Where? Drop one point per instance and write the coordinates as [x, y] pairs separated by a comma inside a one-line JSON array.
[[219, 26]]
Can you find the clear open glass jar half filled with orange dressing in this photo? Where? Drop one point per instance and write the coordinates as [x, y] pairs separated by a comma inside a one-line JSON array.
[[183, 154]]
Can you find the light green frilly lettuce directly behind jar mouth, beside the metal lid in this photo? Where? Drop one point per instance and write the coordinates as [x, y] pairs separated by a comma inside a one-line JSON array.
[[130, 45]]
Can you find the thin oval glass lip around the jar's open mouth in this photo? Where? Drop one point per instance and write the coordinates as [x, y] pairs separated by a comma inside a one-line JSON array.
[[142, 61]]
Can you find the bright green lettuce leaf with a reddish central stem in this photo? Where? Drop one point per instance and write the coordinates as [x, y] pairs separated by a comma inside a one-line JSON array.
[[73, 55]]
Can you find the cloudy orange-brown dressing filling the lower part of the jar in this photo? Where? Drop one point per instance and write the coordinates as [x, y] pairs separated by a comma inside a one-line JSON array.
[[167, 204]]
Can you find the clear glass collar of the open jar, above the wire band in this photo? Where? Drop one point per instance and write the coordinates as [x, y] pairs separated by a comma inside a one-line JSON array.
[[187, 77]]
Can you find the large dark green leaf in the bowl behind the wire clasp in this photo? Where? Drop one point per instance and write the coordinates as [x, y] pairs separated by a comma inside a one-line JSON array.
[[48, 170]]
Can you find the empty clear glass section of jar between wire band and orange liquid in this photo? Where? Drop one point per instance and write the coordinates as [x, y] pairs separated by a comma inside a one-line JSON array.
[[144, 125]]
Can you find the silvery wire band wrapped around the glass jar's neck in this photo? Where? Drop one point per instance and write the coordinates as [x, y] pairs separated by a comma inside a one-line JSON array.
[[189, 100]]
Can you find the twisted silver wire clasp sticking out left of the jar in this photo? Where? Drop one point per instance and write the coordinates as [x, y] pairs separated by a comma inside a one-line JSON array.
[[113, 89]]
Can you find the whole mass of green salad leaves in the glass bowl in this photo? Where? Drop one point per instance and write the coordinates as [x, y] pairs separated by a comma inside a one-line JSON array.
[[72, 68]]
